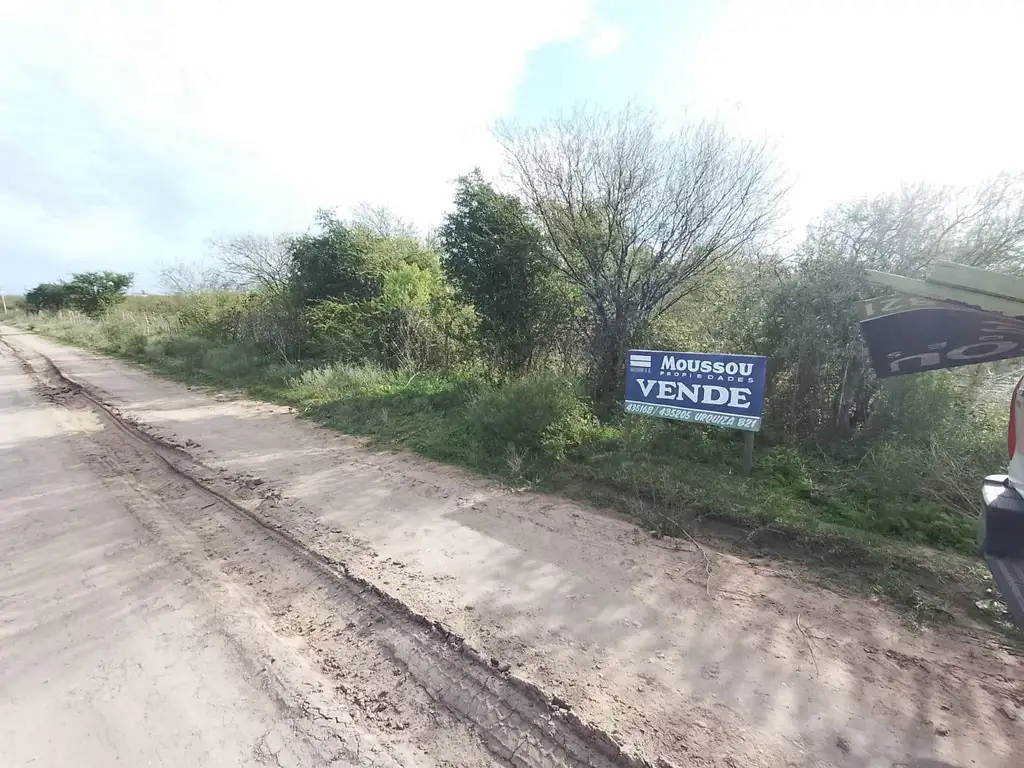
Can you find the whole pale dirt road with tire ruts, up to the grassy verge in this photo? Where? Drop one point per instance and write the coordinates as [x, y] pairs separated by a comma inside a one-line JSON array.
[[218, 578]]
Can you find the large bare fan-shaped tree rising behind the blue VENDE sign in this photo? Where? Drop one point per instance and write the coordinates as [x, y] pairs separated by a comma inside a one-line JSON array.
[[634, 214]]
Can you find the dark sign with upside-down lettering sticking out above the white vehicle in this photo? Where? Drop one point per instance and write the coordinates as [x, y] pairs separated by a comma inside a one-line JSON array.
[[910, 335]]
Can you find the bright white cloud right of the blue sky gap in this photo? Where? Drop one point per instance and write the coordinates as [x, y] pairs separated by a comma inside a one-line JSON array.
[[863, 97]]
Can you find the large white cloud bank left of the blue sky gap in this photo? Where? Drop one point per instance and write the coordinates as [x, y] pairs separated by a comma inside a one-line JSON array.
[[134, 131]]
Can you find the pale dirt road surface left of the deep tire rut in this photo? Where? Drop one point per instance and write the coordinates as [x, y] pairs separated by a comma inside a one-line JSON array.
[[141, 624]]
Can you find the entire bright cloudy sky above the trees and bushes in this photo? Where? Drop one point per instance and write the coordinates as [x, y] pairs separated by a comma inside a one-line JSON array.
[[131, 133]]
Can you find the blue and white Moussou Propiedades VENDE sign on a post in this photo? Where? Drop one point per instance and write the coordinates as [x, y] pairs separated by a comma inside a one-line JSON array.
[[726, 391]]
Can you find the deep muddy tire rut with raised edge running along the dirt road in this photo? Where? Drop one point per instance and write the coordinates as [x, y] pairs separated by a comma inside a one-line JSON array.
[[519, 722]]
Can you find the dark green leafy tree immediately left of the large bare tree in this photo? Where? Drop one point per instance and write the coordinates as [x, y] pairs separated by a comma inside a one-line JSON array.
[[496, 260]]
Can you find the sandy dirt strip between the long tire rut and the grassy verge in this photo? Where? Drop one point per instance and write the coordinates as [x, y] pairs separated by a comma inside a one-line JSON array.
[[750, 668]]
